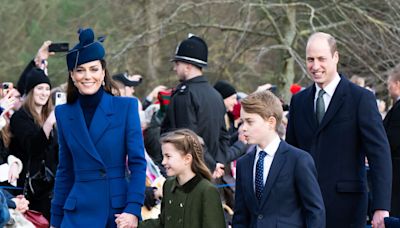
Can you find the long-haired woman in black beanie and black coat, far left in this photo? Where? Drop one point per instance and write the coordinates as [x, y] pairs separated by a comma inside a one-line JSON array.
[[34, 140]]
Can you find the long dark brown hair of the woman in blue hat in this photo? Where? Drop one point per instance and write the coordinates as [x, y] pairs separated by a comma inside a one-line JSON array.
[[109, 85]]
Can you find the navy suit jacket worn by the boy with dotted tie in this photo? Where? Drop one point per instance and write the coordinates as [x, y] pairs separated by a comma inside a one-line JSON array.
[[291, 196]]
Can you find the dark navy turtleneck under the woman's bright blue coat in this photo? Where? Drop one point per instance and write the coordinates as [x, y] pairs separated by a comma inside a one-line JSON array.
[[89, 105]]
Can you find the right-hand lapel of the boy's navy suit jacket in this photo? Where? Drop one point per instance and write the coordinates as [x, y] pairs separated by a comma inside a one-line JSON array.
[[276, 166]]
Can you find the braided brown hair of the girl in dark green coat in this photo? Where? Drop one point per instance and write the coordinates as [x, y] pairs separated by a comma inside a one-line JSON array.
[[188, 142]]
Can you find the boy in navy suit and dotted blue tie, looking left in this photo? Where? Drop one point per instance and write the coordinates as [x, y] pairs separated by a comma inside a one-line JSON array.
[[276, 184]]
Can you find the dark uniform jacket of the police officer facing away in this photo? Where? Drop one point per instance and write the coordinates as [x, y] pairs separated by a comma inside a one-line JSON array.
[[199, 107]]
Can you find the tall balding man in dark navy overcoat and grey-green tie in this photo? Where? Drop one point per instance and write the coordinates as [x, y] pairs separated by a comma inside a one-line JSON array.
[[339, 124]]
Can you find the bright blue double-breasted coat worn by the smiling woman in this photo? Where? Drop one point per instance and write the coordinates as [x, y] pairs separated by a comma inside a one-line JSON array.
[[91, 184]]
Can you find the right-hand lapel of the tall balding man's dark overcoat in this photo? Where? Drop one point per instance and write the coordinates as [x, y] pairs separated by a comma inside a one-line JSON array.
[[336, 103]]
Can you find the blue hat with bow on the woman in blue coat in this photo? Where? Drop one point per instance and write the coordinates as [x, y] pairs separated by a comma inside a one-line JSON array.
[[86, 50]]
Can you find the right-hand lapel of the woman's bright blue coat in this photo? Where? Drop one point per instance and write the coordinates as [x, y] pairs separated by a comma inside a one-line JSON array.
[[102, 118]]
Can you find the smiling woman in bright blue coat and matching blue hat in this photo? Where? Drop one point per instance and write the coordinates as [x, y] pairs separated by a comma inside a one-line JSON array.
[[100, 137]]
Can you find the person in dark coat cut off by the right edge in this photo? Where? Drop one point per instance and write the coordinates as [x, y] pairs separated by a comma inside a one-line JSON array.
[[392, 127]]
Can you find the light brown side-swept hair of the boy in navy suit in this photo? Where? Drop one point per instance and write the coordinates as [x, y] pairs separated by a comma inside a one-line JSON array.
[[264, 104]]
